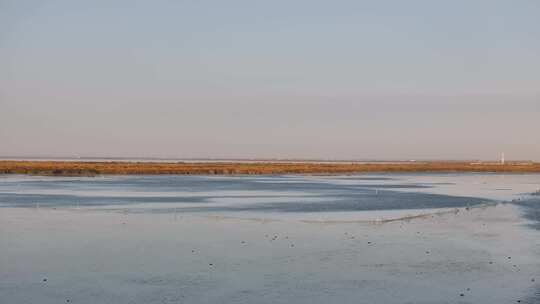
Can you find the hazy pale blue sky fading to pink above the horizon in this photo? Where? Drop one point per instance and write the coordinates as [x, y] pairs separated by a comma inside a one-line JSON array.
[[270, 79]]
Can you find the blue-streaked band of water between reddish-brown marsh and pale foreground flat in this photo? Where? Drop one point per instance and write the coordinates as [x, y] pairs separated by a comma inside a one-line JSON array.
[[325, 198]]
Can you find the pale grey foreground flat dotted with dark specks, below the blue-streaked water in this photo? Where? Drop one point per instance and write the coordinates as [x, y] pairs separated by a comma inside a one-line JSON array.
[[95, 257]]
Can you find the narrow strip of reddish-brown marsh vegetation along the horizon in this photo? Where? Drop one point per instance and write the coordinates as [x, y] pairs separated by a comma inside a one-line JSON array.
[[88, 168]]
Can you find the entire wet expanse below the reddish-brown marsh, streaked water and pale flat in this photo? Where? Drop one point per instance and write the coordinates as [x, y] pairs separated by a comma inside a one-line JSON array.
[[270, 239]]
